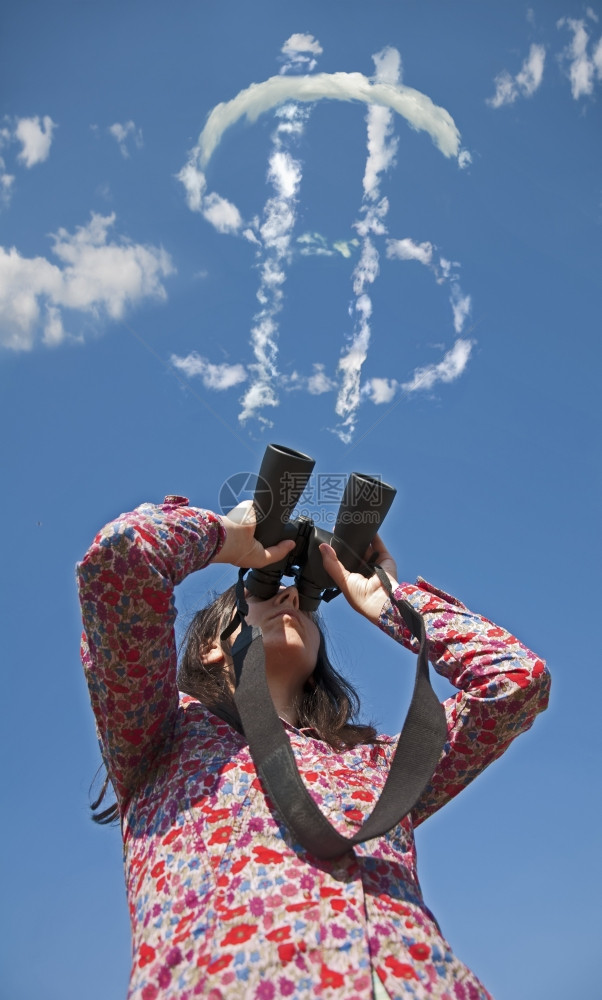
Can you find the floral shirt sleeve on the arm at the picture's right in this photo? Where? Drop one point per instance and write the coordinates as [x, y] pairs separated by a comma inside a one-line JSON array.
[[502, 687]]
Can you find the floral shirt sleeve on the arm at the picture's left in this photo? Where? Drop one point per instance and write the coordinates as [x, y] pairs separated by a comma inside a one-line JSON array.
[[126, 587]]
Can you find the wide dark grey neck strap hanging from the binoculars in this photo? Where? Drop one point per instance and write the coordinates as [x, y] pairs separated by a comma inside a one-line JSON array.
[[416, 756]]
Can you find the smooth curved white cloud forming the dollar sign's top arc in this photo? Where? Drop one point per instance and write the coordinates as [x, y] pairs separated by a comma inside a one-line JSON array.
[[418, 109]]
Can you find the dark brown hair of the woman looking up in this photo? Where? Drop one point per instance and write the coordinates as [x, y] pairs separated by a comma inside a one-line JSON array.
[[328, 704]]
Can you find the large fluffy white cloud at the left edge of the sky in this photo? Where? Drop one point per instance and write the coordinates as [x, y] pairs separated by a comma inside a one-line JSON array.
[[94, 277]]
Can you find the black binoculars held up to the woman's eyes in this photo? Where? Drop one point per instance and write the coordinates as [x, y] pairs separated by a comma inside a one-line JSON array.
[[282, 479]]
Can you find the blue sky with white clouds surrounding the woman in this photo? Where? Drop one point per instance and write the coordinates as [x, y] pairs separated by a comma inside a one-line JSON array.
[[400, 275]]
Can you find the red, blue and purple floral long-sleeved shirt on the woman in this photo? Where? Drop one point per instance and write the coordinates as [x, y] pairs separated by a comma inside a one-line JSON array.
[[224, 904]]
